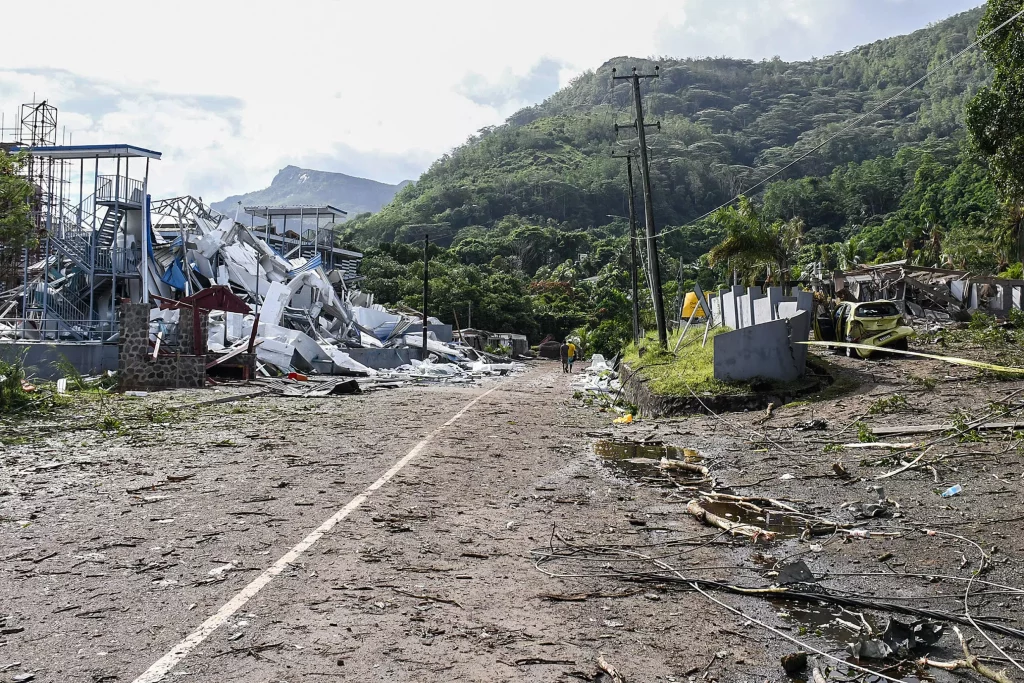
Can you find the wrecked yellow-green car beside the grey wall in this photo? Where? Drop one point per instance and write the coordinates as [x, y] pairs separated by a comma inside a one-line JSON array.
[[871, 323]]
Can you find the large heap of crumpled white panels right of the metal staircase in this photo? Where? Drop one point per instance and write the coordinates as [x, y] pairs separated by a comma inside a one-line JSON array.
[[308, 318]]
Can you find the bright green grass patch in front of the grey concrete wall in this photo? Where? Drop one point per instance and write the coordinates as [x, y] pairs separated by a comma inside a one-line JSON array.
[[694, 367]]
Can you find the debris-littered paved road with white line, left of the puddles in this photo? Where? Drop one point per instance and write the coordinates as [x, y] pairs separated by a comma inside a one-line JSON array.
[[134, 575]]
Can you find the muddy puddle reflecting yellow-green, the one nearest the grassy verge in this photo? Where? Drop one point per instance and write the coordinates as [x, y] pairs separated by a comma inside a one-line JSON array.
[[642, 461]]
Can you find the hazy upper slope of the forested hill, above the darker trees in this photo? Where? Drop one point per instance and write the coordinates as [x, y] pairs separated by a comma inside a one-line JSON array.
[[726, 125]]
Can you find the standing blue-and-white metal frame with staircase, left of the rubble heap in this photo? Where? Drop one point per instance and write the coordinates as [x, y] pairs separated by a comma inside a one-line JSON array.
[[91, 215]]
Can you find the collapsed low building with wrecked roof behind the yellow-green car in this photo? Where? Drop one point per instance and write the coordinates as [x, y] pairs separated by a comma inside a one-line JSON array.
[[931, 293]]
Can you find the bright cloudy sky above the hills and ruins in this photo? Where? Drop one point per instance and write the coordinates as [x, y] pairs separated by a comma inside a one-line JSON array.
[[231, 92]]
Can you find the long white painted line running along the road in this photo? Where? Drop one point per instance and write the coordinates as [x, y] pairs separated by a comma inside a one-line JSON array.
[[164, 666]]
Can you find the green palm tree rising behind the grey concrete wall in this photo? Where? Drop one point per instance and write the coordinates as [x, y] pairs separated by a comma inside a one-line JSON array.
[[753, 246]]
